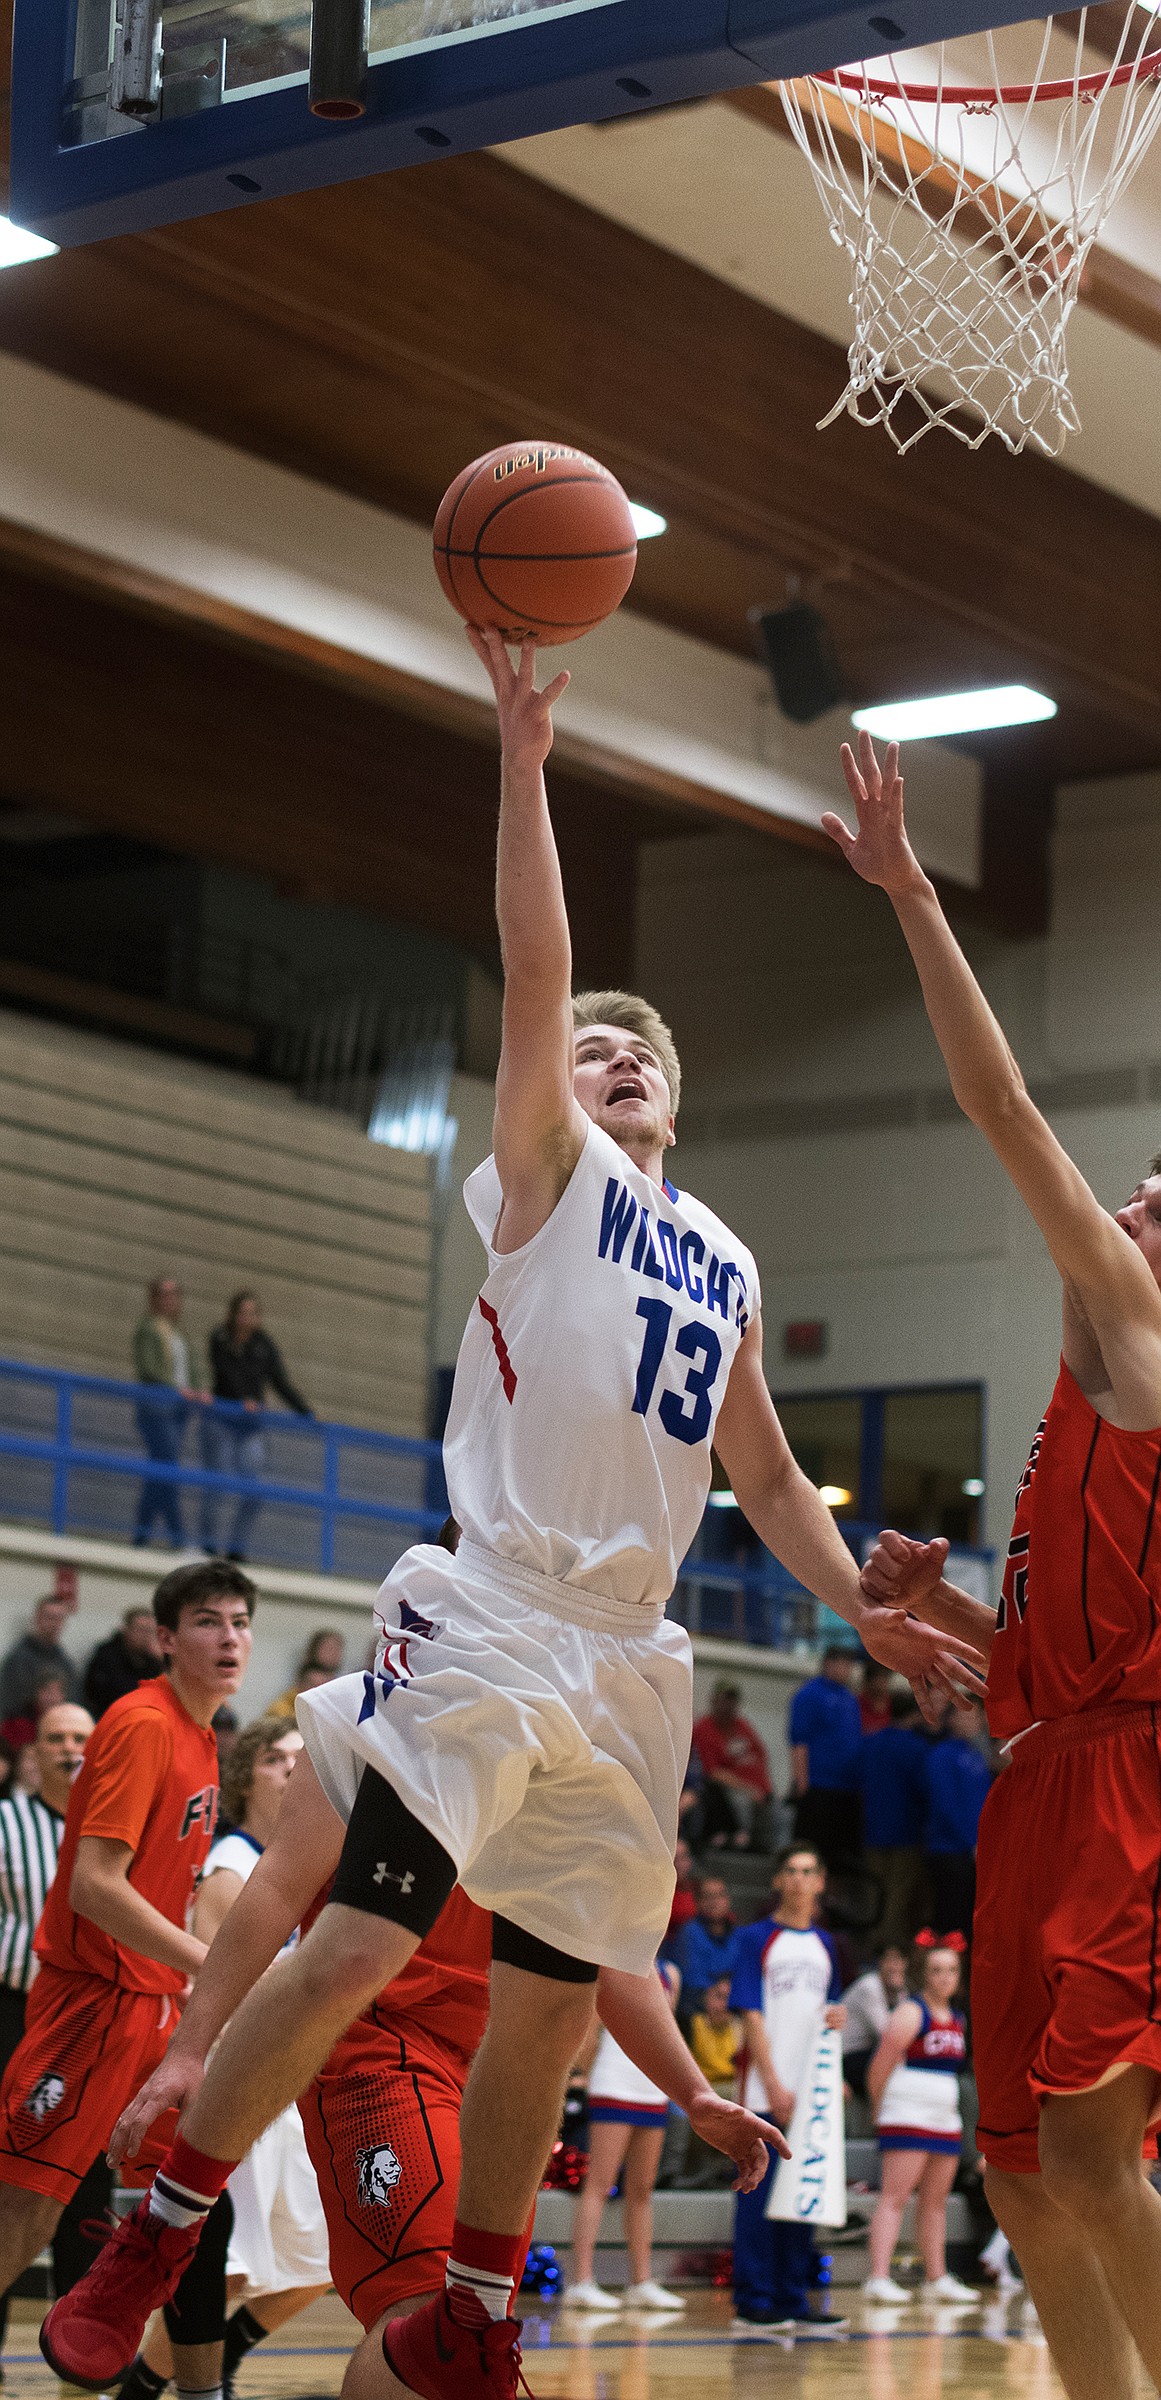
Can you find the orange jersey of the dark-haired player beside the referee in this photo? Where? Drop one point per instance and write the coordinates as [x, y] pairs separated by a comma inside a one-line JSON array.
[[150, 1780]]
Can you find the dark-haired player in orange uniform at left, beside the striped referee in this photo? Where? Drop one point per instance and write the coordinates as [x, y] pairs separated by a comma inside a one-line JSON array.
[[114, 1950]]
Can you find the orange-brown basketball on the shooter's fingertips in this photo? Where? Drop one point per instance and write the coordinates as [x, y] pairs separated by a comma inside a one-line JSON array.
[[539, 541]]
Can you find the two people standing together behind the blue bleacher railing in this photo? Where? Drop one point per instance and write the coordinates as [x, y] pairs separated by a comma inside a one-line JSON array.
[[229, 1396]]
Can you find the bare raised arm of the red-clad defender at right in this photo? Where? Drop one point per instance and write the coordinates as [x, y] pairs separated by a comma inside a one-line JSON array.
[[1095, 1256]]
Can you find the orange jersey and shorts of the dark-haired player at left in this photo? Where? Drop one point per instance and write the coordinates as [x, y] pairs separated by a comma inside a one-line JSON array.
[[100, 2015]]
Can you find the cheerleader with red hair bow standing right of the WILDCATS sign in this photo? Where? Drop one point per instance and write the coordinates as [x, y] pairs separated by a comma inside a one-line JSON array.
[[915, 2092]]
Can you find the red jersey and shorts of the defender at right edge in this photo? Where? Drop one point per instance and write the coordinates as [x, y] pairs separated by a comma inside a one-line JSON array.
[[1066, 1972]]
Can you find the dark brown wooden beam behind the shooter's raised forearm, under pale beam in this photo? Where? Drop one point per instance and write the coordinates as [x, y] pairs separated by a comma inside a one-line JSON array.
[[193, 740]]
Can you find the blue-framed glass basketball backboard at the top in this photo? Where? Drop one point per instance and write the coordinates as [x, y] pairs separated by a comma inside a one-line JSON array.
[[229, 114]]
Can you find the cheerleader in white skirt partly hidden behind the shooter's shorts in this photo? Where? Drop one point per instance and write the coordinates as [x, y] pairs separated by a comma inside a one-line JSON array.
[[627, 2130]]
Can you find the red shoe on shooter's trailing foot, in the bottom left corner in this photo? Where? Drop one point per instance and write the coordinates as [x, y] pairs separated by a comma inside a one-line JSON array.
[[95, 2332]]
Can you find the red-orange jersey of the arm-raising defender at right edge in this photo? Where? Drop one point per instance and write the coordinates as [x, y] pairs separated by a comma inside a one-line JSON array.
[[1081, 1612]]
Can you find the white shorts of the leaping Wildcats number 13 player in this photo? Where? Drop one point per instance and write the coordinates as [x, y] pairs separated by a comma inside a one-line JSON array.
[[541, 1736]]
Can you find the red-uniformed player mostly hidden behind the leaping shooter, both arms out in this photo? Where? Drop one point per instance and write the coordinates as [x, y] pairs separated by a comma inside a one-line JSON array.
[[385, 2113]]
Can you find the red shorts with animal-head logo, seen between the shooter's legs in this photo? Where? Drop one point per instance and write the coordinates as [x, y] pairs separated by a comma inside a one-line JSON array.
[[385, 2118]]
